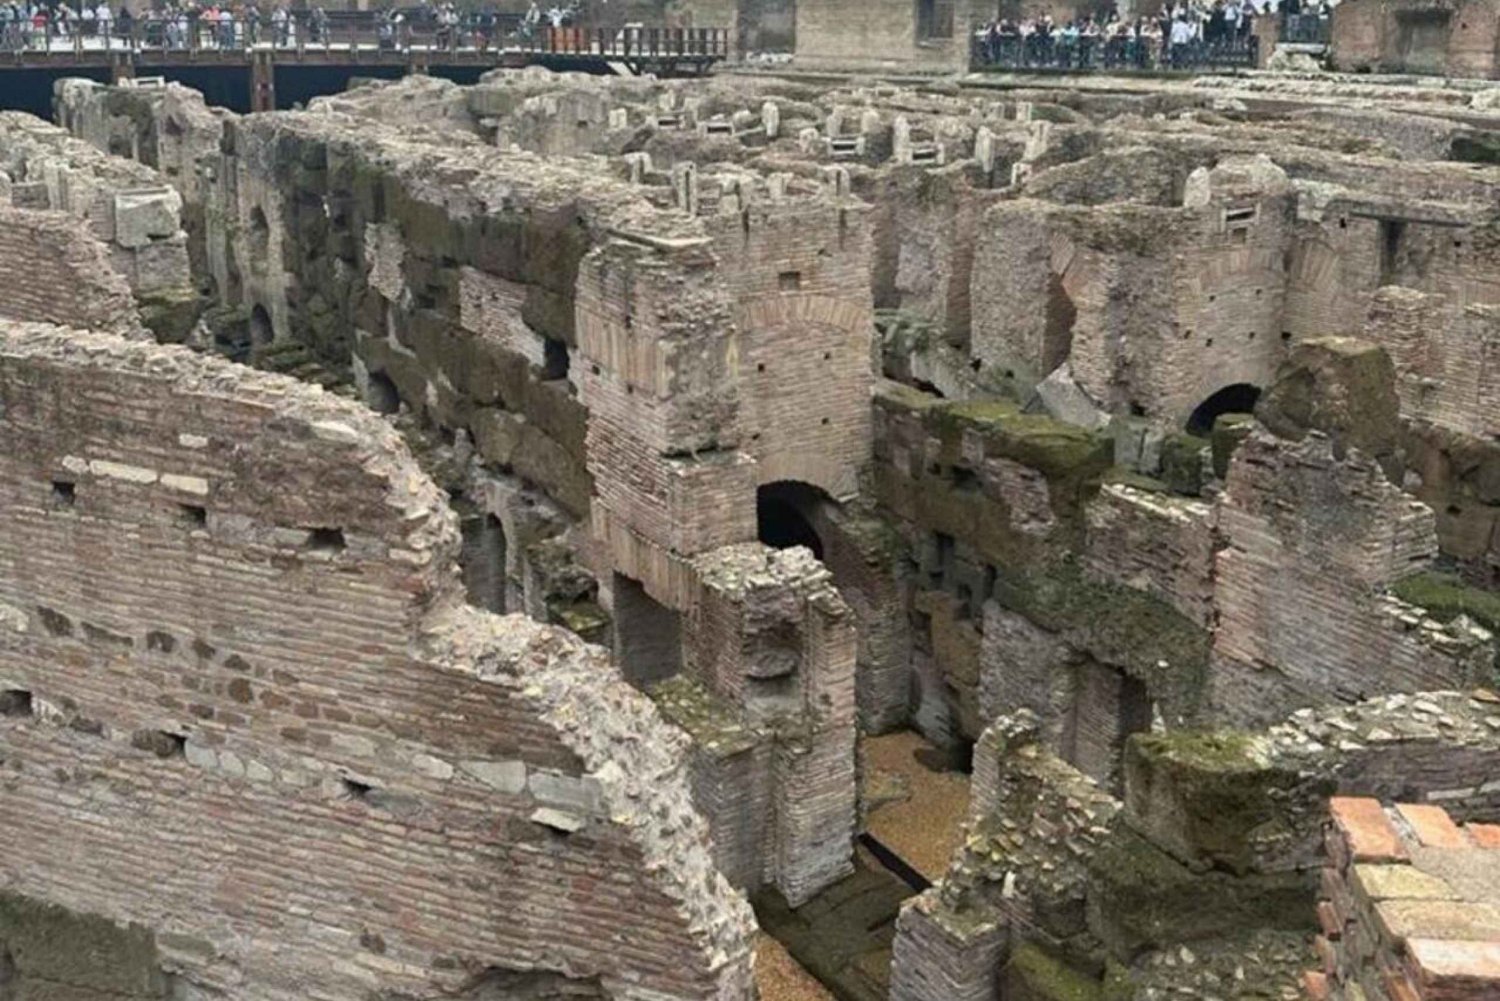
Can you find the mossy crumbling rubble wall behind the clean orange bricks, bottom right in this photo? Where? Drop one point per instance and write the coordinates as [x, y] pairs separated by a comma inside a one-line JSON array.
[[1205, 861]]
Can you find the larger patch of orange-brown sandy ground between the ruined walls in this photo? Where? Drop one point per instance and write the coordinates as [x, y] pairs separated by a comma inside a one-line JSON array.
[[926, 826]]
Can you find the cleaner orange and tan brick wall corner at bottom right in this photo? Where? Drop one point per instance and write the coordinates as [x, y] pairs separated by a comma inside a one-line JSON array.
[[1408, 906]]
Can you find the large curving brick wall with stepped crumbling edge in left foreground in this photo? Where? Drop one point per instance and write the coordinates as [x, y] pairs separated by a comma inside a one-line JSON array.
[[247, 708]]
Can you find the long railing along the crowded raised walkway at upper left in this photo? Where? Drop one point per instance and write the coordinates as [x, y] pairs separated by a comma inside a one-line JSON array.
[[373, 32]]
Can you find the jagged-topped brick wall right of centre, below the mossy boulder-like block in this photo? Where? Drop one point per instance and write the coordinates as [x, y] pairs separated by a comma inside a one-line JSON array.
[[1306, 592]]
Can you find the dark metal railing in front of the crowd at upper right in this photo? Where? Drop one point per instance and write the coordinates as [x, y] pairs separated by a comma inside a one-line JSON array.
[[1099, 53]]
